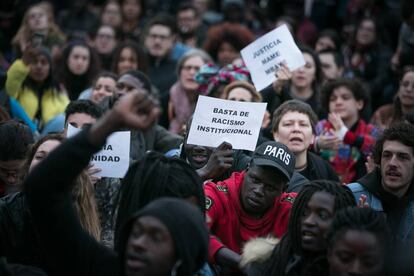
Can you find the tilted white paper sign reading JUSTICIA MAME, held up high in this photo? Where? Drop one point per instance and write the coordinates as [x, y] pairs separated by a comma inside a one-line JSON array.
[[265, 55]]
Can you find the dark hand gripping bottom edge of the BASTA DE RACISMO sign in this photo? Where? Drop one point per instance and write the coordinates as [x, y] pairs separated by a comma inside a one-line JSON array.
[[219, 162]]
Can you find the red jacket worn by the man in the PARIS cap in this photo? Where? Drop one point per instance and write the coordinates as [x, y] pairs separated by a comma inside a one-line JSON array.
[[230, 226]]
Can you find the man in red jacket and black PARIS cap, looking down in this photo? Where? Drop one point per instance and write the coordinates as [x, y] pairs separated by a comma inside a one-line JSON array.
[[250, 203]]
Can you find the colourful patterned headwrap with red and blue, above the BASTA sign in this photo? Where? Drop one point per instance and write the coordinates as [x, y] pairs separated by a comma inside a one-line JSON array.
[[211, 76]]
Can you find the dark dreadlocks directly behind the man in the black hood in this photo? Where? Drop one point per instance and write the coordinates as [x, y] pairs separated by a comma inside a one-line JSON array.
[[153, 177]]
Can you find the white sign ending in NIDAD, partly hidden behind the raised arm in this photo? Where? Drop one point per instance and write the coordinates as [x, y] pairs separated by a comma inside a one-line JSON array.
[[113, 159]]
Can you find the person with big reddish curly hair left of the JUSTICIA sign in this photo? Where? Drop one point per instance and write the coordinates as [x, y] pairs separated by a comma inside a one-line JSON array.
[[225, 41]]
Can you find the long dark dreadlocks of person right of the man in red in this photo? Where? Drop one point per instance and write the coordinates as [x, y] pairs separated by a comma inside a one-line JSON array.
[[290, 244]]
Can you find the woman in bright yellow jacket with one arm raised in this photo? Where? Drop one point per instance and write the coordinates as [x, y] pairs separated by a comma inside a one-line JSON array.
[[30, 80]]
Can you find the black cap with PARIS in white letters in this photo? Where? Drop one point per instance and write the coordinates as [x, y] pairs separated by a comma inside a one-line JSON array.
[[274, 154]]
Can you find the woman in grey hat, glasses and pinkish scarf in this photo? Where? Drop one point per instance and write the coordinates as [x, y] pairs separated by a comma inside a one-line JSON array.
[[184, 93]]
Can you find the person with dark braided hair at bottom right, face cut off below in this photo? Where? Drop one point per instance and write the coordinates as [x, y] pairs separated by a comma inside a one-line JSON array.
[[358, 243]]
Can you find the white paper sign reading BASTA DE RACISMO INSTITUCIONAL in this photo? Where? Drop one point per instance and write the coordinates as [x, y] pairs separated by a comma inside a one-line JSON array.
[[216, 121]]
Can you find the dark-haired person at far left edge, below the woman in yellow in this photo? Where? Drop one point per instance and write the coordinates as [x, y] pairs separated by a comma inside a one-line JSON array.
[[15, 140]]
